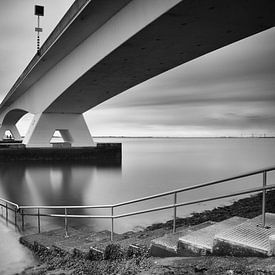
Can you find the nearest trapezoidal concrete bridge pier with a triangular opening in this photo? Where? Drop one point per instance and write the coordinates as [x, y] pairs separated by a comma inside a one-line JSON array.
[[72, 128]]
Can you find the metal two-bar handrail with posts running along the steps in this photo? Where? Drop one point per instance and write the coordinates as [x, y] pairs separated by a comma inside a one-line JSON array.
[[264, 188]]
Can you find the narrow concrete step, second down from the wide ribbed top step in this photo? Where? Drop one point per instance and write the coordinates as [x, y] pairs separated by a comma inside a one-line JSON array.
[[166, 246]]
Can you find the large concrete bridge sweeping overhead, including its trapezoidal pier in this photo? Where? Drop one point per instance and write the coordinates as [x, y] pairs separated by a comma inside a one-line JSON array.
[[102, 48]]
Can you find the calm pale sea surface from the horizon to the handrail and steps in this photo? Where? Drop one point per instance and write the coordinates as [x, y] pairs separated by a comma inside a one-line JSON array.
[[149, 166]]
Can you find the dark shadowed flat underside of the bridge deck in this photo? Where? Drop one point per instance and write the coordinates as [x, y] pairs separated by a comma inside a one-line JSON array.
[[187, 31]]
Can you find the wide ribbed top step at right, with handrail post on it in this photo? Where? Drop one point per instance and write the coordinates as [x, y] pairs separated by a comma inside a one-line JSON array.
[[248, 238]]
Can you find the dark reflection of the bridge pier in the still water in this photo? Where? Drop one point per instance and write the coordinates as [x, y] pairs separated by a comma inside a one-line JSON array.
[[62, 183]]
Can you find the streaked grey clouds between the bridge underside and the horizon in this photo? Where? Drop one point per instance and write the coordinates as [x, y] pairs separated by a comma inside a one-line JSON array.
[[231, 90]]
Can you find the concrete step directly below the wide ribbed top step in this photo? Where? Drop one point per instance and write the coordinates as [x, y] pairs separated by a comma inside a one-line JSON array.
[[201, 242]]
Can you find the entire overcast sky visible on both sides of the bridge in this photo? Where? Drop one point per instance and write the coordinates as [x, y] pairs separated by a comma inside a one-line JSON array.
[[229, 92]]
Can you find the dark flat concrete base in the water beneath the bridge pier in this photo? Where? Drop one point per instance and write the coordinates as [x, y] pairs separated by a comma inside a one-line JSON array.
[[103, 153]]
